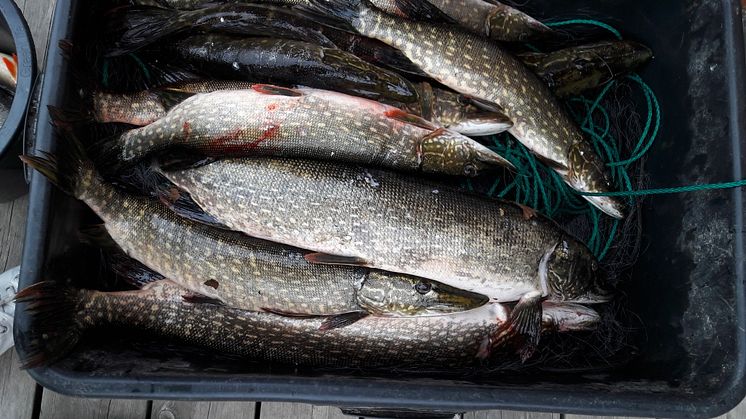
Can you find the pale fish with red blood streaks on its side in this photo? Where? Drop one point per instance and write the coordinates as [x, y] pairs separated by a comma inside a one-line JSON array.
[[304, 123]]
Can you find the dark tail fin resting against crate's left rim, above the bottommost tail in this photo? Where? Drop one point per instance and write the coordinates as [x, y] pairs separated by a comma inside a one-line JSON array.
[[70, 169]]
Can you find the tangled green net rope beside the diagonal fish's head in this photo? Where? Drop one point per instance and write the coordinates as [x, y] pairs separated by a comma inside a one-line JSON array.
[[537, 186]]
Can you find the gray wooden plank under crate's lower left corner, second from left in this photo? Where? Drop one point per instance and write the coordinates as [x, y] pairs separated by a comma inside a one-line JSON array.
[[57, 406]]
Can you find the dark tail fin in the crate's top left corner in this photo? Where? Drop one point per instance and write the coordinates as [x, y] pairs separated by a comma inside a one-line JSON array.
[[142, 26]]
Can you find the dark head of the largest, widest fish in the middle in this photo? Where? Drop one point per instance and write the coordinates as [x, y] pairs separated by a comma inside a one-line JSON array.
[[570, 272]]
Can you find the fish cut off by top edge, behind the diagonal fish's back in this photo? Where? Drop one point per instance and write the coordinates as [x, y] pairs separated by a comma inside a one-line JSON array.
[[493, 20]]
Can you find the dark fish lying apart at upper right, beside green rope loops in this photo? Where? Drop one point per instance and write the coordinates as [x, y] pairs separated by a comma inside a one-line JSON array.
[[574, 70]]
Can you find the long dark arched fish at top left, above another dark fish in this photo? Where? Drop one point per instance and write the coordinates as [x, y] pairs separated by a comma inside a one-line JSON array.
[[139, 27]]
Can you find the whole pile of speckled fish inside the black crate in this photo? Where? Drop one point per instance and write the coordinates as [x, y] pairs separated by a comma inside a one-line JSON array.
[[295, 208]]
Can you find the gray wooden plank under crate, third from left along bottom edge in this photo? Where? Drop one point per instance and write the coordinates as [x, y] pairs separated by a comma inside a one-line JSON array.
[[167, 409]]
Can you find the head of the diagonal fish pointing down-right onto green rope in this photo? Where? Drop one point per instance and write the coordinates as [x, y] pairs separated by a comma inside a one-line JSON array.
[[587, 173]]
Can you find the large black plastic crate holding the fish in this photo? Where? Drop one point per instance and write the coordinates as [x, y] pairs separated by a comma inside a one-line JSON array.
[[687, 287]]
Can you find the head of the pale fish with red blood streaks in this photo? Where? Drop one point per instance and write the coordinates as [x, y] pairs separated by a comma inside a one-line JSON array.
[[446, 151]]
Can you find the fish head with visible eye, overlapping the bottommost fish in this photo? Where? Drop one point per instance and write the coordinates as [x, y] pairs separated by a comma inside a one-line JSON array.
[[384, 293]]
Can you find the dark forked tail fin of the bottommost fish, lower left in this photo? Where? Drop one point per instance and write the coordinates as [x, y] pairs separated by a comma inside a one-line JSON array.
[[52, 306]]
